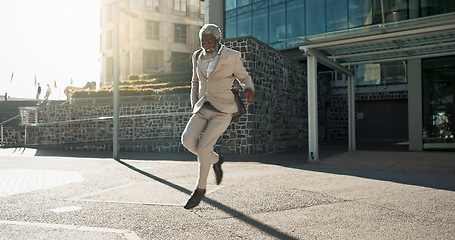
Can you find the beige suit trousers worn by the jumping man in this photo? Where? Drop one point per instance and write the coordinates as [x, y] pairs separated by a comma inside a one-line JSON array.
[[200, 135]]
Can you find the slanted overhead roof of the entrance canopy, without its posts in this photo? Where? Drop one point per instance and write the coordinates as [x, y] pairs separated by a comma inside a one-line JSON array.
[[416, 38]]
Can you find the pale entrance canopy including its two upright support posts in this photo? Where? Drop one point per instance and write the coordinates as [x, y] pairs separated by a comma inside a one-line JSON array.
[[419, 38]]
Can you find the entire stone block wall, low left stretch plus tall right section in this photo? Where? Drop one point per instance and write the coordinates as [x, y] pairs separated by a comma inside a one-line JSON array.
[[277, 119]]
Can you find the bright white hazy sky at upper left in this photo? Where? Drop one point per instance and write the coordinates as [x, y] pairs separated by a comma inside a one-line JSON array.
[[52, 39]]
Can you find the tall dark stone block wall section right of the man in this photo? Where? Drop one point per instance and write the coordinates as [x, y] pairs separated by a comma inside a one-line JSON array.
[[277, 119]]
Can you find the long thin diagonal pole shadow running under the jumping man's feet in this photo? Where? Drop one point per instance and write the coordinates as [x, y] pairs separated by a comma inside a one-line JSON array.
[[234, 213]]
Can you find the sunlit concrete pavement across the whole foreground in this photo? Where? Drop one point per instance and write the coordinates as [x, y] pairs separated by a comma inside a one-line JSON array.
[[349, 195]]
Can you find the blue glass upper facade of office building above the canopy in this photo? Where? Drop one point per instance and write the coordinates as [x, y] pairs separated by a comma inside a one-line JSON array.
[[272, 21]]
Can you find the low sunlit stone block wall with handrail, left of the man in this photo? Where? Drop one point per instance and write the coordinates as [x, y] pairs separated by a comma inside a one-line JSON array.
[[90, 127]]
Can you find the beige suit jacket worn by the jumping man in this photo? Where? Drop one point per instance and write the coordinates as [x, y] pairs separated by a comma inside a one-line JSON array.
[[217, 87]]
